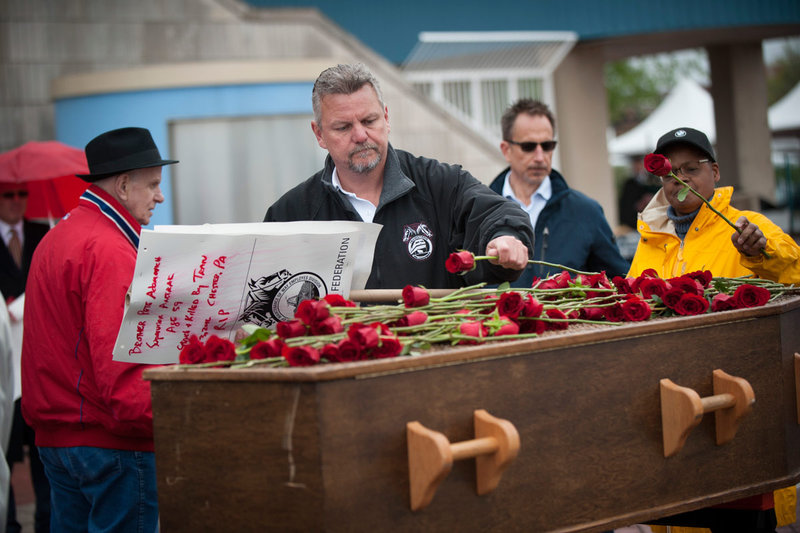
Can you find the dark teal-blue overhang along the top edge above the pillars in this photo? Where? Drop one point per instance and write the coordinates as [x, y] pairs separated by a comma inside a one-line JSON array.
[[391, 28]]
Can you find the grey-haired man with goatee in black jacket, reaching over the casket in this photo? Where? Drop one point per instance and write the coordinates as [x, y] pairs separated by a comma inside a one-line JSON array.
[[428, 209]]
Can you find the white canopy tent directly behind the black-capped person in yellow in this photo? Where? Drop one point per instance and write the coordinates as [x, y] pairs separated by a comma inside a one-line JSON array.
[[688, 104]]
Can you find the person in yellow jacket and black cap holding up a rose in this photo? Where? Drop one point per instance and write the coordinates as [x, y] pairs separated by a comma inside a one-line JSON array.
[[680, 236]]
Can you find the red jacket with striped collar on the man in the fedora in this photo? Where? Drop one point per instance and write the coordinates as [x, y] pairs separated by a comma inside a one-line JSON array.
[[73, 393]]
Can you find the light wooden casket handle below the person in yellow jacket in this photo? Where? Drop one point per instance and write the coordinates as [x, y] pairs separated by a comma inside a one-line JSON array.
[[682, 409]]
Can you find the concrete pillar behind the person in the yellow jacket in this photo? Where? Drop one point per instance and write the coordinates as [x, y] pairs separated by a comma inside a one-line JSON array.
[[739, 89]]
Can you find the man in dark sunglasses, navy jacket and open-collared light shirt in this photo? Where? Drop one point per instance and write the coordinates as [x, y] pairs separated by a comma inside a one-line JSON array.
[[569, 227]]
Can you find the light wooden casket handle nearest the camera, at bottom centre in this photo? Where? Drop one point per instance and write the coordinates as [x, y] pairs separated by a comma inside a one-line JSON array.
[[431, 455]]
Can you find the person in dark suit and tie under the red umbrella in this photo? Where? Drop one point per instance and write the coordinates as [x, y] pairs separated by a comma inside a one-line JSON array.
[[19, 239]]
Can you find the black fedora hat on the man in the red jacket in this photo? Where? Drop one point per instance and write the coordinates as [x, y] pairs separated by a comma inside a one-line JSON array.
[[118, 151]]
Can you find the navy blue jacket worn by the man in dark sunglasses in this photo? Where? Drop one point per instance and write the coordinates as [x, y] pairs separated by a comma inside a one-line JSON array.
[[571, 231]]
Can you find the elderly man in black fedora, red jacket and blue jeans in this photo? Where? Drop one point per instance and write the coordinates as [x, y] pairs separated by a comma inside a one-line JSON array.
[[92, 415]]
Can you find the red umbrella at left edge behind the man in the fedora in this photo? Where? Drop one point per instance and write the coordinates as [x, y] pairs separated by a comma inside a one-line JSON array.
[[49, 169]]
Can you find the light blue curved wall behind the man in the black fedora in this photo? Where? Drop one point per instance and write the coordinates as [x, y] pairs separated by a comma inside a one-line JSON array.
[[79, 120]]
